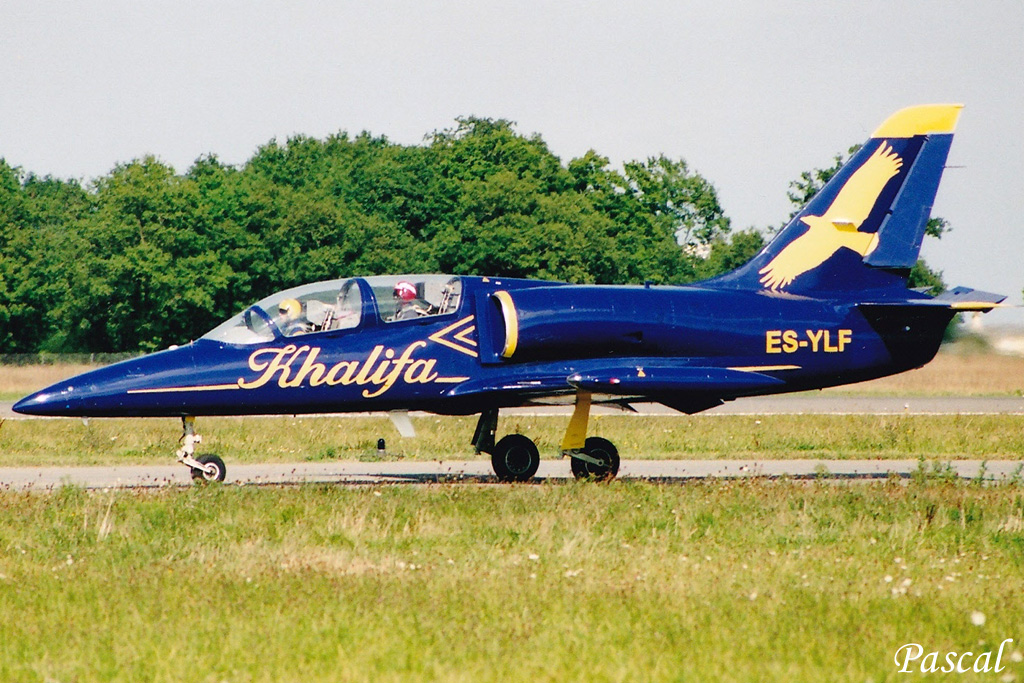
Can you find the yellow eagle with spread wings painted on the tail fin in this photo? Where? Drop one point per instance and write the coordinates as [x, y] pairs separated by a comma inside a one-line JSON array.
[[839, 227]]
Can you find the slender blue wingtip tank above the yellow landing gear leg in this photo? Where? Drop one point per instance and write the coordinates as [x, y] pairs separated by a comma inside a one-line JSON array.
[[629, 380]]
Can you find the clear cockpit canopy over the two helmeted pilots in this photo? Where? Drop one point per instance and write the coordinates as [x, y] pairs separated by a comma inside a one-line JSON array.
[[340, 305]]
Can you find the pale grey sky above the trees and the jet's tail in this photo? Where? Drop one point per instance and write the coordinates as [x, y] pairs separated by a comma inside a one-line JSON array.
[[750, 94]]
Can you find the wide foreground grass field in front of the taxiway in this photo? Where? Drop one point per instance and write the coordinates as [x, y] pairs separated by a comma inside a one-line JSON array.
[[749, 581]]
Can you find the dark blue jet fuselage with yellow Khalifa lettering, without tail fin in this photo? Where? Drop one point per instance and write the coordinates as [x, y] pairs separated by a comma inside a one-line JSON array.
[[506, 343]]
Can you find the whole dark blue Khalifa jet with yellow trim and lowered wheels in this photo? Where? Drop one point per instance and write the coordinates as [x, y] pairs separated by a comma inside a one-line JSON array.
[[825, 304]]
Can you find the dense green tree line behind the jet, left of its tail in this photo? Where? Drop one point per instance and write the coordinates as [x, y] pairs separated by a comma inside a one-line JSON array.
[[144, 258]]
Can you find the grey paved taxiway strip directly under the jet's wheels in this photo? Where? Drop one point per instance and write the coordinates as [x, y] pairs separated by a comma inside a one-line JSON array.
[[479, 472]]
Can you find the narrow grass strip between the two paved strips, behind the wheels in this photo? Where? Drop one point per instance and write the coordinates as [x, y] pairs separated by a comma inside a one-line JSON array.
[[117, 442]]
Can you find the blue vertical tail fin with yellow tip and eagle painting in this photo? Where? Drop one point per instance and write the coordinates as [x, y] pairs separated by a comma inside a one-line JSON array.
[[864, 230]]
